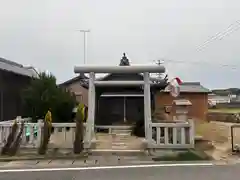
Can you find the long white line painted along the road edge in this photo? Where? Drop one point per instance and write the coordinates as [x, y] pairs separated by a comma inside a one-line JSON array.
[[104, 167]]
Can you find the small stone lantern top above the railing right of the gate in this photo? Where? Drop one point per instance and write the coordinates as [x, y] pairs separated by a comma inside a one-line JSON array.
[[181, 107]]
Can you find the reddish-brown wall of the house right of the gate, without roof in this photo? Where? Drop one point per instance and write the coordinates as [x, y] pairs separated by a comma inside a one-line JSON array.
[[199, 102]]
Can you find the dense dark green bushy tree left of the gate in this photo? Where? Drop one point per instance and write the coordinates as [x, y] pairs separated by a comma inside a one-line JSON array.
[[44, 94]]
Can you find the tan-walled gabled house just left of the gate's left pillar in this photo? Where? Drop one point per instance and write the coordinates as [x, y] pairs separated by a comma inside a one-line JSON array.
[[74, 85]]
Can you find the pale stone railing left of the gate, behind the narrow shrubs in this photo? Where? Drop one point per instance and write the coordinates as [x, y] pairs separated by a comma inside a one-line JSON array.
[[63, 134]]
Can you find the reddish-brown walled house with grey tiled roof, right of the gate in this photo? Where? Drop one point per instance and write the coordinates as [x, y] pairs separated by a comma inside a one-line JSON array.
[[192, 91]]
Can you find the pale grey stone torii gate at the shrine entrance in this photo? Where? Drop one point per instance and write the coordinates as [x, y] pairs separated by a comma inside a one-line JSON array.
[[92, 70]]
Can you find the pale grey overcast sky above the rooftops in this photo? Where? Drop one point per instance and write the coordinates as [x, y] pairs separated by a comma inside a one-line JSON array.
[[45, 34]]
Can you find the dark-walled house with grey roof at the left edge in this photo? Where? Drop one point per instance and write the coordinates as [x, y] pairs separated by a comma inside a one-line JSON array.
[[13, 78]]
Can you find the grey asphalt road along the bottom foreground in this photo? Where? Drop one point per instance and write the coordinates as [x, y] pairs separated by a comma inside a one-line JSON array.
[[216, 172]]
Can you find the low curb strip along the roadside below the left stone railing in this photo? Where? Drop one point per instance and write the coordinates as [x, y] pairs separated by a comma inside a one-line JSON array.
[[24, 158]]
